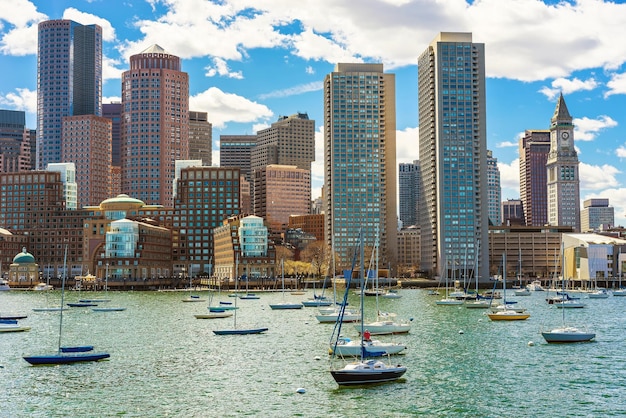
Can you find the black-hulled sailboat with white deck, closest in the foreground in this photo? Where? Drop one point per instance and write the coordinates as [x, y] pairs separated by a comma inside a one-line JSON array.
[[363, 371]]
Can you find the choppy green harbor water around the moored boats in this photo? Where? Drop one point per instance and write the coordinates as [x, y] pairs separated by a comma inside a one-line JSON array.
[[165, 362]]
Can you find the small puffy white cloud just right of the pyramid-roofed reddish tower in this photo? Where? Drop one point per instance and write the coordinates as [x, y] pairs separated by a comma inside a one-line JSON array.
[[227, 107]]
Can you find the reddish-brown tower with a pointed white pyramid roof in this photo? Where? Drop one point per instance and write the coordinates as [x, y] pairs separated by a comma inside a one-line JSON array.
[[155, 124]]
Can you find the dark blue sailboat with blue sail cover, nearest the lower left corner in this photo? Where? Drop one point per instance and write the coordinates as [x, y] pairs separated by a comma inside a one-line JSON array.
[[66, 354]]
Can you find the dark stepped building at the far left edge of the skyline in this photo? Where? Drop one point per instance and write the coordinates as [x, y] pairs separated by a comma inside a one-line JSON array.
[[15, 149]]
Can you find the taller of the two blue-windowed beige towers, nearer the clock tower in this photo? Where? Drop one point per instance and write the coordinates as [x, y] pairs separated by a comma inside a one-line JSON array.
[[453, 156]]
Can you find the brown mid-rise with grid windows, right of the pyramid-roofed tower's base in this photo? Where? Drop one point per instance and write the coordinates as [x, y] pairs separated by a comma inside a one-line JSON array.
[[208, 195]]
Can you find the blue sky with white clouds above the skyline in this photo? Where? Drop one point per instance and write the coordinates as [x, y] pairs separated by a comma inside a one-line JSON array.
[[251, 61]]
